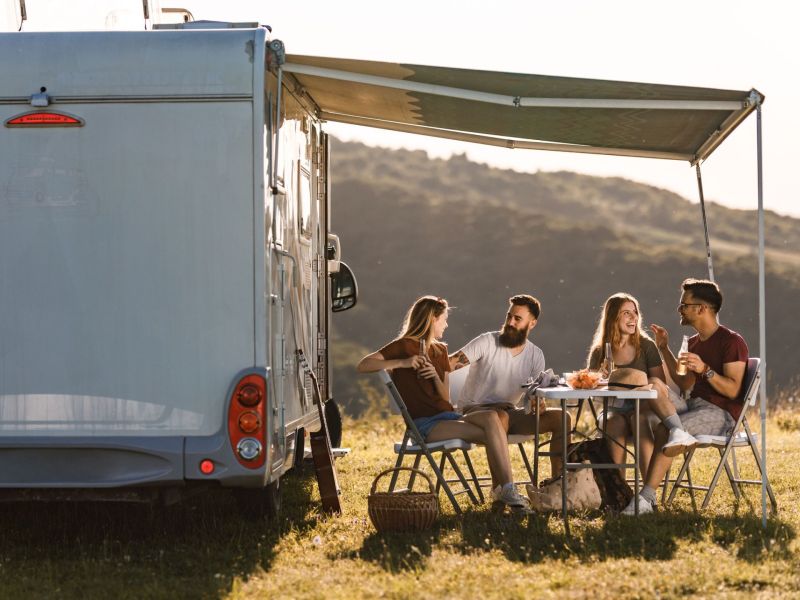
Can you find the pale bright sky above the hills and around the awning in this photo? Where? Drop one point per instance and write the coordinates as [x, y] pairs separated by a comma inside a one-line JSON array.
[[713, 43]]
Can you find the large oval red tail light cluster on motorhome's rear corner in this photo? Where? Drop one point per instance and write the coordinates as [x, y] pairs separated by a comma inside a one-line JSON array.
[[247, 420]]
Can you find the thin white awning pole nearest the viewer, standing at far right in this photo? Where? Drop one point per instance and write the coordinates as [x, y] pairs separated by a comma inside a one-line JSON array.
[[762, 318]]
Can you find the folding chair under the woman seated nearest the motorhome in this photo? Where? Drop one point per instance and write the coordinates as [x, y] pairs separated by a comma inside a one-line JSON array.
[[414, 445]]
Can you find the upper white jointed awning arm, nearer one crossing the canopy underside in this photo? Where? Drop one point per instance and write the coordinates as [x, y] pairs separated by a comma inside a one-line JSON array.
[[515, 101]]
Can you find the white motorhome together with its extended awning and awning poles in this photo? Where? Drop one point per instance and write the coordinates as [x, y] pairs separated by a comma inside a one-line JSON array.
[[164, 232]]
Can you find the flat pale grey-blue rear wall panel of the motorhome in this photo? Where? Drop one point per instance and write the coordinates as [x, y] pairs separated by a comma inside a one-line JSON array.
[[127, 245]]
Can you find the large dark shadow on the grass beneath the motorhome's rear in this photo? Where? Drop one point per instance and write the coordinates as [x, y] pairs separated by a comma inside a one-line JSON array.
[[195, 549]]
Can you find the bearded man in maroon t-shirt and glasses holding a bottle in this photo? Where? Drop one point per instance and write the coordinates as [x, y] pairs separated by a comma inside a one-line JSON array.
[[715, 366]]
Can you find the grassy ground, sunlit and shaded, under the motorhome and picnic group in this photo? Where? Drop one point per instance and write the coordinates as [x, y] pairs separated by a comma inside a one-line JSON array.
[[206, 550]]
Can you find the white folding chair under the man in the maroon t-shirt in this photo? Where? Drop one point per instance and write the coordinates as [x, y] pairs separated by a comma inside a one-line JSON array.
[[740, 436]]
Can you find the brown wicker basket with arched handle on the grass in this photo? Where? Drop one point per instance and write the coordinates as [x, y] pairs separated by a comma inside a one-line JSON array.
[[402, 511]]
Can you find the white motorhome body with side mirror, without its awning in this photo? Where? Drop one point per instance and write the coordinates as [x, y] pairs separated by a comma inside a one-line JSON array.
[[165, 257]]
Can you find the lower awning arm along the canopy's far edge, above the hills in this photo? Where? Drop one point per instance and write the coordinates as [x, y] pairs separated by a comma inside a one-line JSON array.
[[476, 138]]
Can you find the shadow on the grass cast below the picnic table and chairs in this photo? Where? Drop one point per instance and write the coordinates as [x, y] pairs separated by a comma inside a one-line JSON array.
[[594, 538]]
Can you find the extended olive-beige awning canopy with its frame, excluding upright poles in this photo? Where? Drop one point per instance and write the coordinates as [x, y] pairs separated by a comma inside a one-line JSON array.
[[524, 111]]
